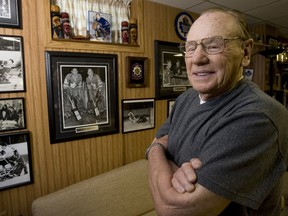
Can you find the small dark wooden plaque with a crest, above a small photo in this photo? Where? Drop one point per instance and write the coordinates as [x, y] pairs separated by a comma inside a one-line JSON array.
[[137, 72]]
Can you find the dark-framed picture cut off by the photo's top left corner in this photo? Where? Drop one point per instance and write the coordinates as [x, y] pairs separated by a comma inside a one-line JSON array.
[[10, 14]]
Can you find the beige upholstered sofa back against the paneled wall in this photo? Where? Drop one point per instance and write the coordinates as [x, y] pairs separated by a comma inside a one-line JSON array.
[[122, 191]]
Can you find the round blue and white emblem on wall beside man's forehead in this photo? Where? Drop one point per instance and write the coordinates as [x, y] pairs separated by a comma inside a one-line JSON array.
[[182, 24]]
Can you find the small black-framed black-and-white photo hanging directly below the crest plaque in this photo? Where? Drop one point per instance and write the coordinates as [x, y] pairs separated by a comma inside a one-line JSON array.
[[138, 114]]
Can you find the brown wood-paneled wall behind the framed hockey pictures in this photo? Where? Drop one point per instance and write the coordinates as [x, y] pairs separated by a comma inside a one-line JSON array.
[[58, 165]]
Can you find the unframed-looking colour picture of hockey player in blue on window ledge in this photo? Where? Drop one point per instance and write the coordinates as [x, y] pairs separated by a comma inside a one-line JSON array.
[[99, 26]]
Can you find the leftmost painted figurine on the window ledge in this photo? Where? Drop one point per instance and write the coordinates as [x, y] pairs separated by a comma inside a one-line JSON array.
[[57, 30]]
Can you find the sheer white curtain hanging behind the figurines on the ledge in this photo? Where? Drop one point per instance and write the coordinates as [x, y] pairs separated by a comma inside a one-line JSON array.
[[78, 14]]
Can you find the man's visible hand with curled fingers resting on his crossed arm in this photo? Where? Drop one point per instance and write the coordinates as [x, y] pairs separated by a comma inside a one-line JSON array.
[[184, 178]]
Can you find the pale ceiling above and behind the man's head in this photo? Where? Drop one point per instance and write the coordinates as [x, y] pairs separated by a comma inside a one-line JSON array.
[[273, 12]]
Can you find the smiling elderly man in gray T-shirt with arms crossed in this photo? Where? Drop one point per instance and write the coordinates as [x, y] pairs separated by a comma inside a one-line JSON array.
[[223, 149]]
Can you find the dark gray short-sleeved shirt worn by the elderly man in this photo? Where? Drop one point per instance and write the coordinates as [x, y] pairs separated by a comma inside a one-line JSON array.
[[241, 137]]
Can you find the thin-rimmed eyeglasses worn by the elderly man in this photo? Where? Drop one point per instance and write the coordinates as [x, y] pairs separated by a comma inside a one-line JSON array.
[[211, 45]]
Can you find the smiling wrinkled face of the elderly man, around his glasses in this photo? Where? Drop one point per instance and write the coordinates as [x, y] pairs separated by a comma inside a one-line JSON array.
[[214, 74]]
